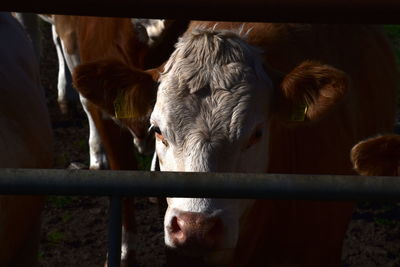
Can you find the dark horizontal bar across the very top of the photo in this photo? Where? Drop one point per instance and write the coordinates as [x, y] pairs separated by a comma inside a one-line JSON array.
[[360, 11]]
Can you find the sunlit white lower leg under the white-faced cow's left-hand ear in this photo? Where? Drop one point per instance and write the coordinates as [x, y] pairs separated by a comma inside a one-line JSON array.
[[98, 159]]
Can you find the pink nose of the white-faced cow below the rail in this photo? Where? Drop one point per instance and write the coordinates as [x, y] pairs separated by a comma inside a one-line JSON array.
[[195, 231]]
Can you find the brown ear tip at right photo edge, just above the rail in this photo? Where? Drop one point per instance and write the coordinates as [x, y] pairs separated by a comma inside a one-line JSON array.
[[377, 156]]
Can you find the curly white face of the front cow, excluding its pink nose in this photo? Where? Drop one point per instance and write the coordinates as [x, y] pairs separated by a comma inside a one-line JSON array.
[[212, 116]]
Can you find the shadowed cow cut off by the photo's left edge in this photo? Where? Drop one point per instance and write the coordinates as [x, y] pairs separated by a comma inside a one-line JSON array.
[[25, 142]]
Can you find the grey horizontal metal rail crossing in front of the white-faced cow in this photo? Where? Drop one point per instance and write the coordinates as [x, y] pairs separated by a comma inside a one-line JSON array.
[[226, 185]]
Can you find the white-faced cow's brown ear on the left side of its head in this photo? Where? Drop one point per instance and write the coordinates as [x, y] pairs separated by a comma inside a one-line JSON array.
[[121, 91]]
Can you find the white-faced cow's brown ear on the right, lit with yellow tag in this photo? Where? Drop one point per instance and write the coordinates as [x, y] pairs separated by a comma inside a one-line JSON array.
[[309, 92]]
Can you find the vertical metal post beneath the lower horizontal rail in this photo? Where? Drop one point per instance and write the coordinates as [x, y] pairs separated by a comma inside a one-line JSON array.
[[114, 232]]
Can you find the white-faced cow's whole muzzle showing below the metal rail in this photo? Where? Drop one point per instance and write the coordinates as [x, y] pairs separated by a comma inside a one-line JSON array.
[[204, 229]]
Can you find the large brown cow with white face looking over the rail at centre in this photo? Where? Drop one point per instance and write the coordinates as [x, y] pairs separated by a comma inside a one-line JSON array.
[[277, 98]]
